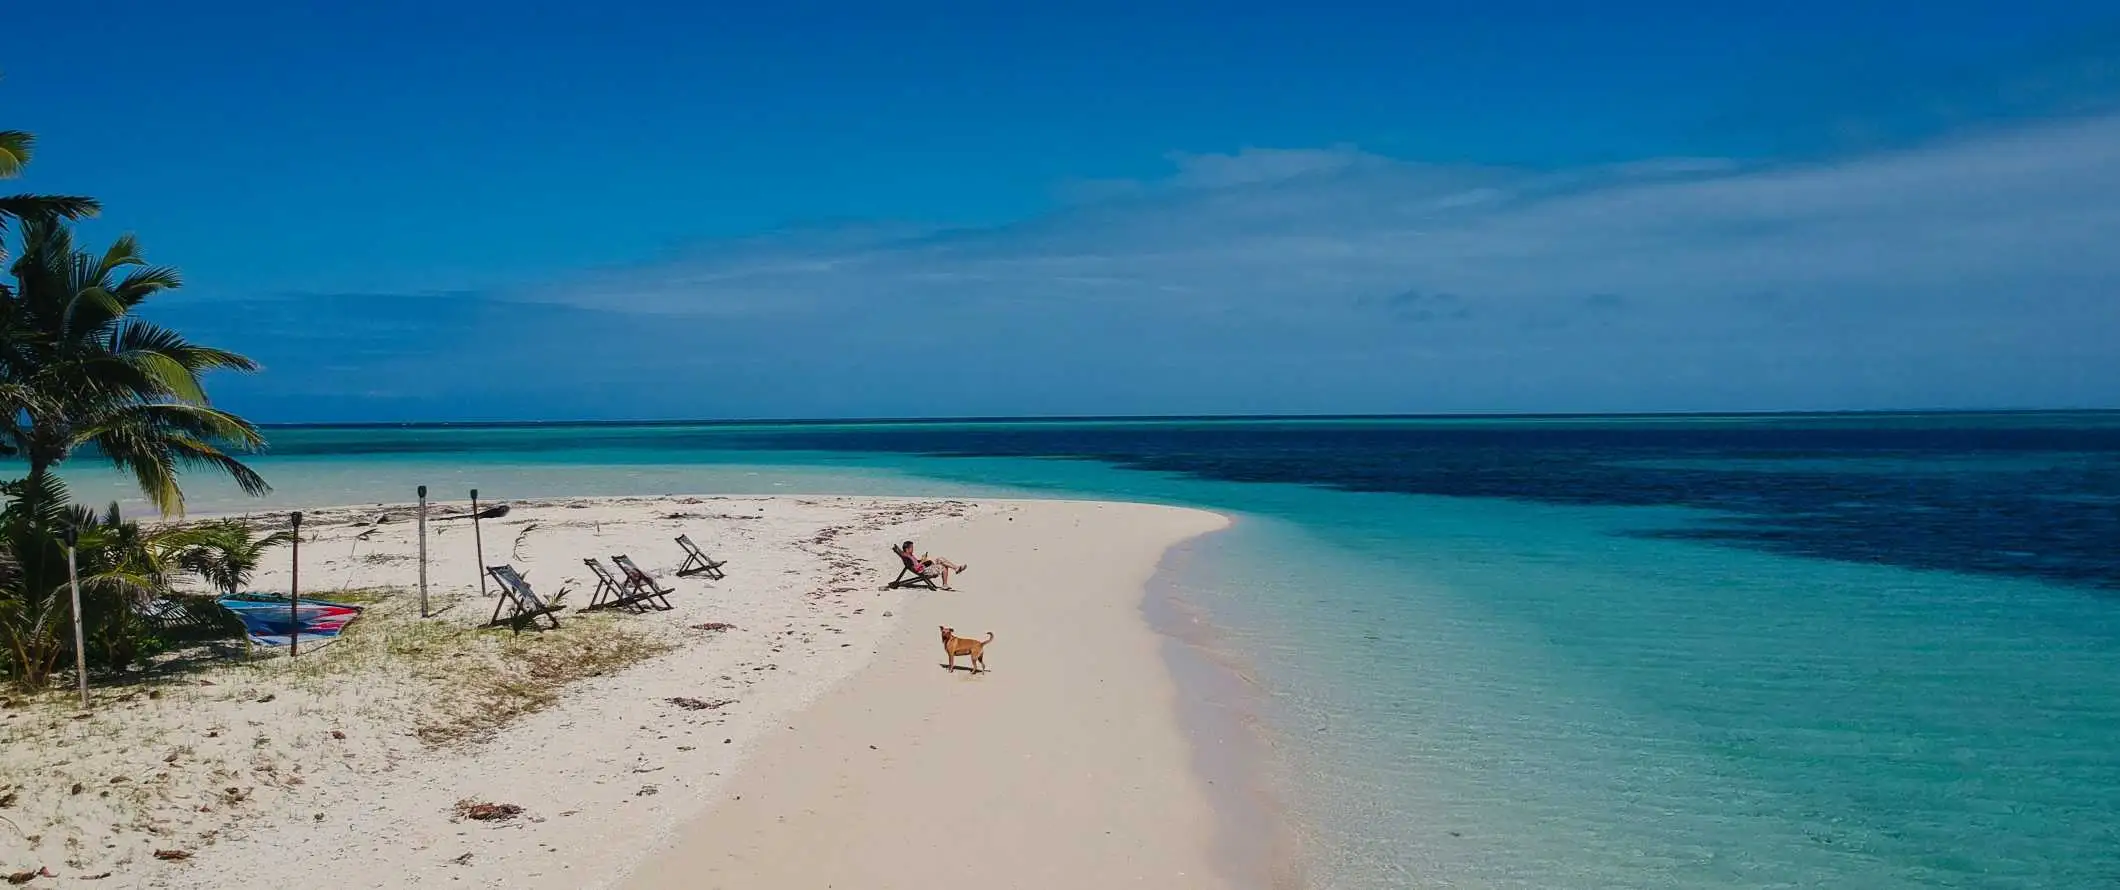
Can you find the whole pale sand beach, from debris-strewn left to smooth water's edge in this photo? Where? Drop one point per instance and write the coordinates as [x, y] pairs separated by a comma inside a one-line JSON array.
[[328, 770]]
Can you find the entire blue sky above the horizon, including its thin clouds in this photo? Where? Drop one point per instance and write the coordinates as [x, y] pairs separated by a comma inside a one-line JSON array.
[[514, 211]]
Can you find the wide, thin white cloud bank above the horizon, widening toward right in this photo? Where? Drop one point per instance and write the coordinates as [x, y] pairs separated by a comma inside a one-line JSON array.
[[1973, 272]]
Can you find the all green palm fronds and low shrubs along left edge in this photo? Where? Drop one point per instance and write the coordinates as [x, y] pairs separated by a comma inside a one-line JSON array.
[[84, 374]]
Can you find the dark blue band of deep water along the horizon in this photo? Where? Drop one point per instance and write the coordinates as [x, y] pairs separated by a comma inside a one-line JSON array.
[[2017, 495]]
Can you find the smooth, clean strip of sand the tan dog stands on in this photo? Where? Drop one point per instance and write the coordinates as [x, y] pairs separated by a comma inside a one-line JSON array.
[[1061, 768]]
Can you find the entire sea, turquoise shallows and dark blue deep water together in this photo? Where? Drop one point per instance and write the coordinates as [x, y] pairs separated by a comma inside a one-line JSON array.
[[1790, 652]]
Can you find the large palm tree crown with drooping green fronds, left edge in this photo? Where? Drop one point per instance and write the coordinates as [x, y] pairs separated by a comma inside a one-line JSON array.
[[79, 368]]
